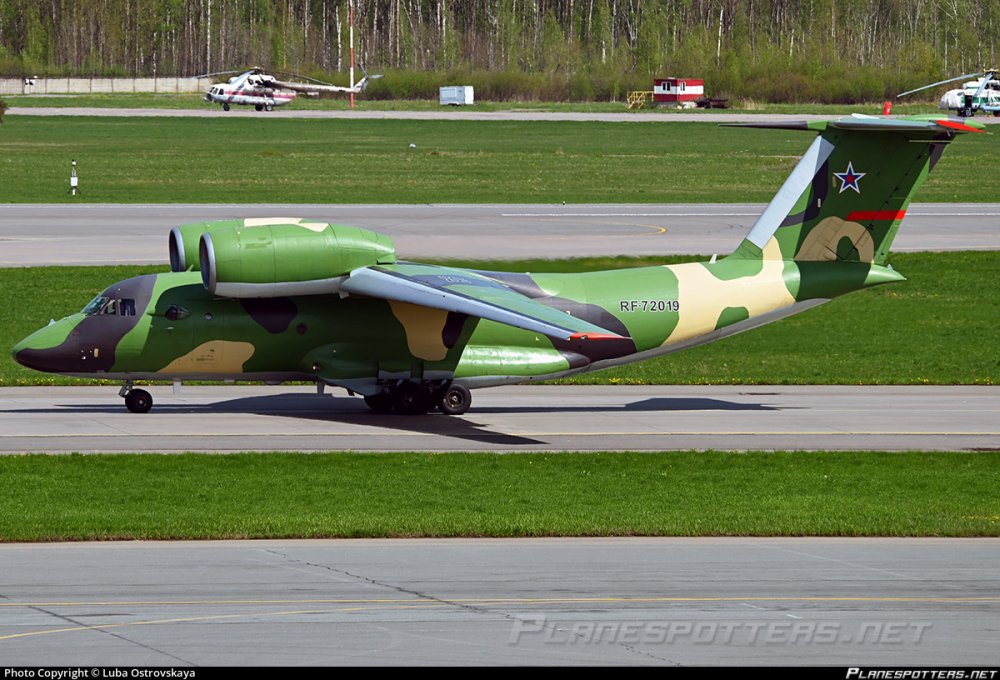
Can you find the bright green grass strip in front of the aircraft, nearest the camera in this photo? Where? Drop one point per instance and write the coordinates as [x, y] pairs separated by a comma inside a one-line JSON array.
[[274, 495]]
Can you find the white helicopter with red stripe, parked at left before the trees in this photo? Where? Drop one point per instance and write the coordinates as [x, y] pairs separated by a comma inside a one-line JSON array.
[[264, 92]]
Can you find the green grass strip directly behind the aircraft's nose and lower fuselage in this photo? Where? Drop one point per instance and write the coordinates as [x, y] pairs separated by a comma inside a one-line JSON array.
[[934, 328]]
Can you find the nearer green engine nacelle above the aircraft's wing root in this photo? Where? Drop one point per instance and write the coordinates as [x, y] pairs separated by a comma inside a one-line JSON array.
[[293, 258]]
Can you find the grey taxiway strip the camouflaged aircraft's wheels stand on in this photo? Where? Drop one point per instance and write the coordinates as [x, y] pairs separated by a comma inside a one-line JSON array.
[[519, 418]]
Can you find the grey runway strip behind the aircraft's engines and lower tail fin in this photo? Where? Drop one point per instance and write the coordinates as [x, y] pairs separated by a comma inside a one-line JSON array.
[[91, 234]]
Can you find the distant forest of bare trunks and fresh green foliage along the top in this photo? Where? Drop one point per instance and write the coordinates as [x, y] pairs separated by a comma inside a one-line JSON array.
[[782, 50]]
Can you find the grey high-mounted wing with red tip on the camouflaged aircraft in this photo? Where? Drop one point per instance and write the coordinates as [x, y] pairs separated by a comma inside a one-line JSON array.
[[457, 290]]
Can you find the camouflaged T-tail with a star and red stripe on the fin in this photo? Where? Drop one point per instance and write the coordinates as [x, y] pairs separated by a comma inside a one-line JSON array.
[[845, 199]]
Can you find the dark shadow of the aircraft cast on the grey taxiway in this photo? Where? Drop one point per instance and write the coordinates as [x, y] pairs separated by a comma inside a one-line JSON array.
[[353, 411]]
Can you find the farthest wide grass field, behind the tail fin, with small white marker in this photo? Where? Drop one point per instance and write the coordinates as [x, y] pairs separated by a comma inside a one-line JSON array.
[[265, 160]]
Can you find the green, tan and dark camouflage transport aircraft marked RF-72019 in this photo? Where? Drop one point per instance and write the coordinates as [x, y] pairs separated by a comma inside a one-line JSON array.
[[293, 299]]
